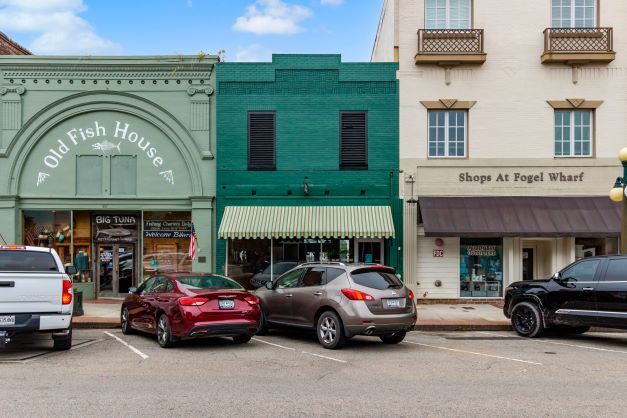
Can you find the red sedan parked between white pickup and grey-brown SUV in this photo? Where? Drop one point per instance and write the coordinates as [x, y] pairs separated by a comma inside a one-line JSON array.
[[191, 305]]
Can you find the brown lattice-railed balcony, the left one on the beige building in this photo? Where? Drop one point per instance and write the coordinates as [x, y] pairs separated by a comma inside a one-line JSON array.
[[450, 47]]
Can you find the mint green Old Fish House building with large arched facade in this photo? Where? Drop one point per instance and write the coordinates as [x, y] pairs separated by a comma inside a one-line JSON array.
[[109, 160]]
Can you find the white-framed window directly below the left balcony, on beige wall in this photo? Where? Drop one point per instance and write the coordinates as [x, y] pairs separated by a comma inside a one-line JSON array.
[[447, 133]]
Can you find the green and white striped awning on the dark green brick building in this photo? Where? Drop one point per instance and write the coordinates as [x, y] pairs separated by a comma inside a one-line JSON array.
[[307, 222]]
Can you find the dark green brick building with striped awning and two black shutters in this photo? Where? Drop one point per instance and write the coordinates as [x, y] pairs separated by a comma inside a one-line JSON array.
[[307, 164]]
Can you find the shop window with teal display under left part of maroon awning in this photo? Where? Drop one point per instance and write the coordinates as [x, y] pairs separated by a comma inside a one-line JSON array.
[[481, 267]]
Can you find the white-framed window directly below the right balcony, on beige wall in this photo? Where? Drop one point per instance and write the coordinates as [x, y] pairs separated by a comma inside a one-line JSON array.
[[573, 133]]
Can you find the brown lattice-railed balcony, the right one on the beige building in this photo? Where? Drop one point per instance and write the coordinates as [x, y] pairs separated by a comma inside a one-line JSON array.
[[578, 46]]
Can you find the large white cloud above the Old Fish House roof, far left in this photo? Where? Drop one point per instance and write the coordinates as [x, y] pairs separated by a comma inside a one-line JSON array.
[[58, 27]]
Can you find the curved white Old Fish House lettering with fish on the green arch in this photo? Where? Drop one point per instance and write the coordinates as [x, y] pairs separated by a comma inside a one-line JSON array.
[[105, 140]]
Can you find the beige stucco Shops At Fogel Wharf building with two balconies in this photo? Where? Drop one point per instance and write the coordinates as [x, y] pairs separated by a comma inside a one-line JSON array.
[[511, 119]]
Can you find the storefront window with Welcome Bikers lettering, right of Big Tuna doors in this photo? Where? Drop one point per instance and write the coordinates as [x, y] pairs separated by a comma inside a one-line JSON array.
[[166, 242]]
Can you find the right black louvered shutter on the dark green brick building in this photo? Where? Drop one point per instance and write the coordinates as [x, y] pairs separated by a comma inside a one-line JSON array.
[[354, 140]]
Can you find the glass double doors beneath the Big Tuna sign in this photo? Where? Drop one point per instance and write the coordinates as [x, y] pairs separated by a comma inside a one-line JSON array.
[[115, 269]]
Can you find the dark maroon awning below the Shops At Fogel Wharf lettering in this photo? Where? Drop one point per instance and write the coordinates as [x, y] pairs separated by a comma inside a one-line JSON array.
[[520, 216]]
